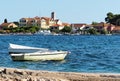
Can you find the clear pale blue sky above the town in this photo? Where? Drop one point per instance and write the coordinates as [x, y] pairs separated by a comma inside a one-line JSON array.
[[69, 11]]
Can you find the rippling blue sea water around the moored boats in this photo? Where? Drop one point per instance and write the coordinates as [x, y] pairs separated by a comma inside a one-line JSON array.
[[88, 53]]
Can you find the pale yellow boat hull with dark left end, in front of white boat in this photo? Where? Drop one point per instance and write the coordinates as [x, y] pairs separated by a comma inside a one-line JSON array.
[[37, 57]]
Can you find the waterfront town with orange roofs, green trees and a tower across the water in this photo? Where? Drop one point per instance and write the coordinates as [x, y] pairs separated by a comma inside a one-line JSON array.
[[38, 25]]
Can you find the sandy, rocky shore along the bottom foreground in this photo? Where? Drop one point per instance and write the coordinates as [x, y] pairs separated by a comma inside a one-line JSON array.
[[13, 74]]
